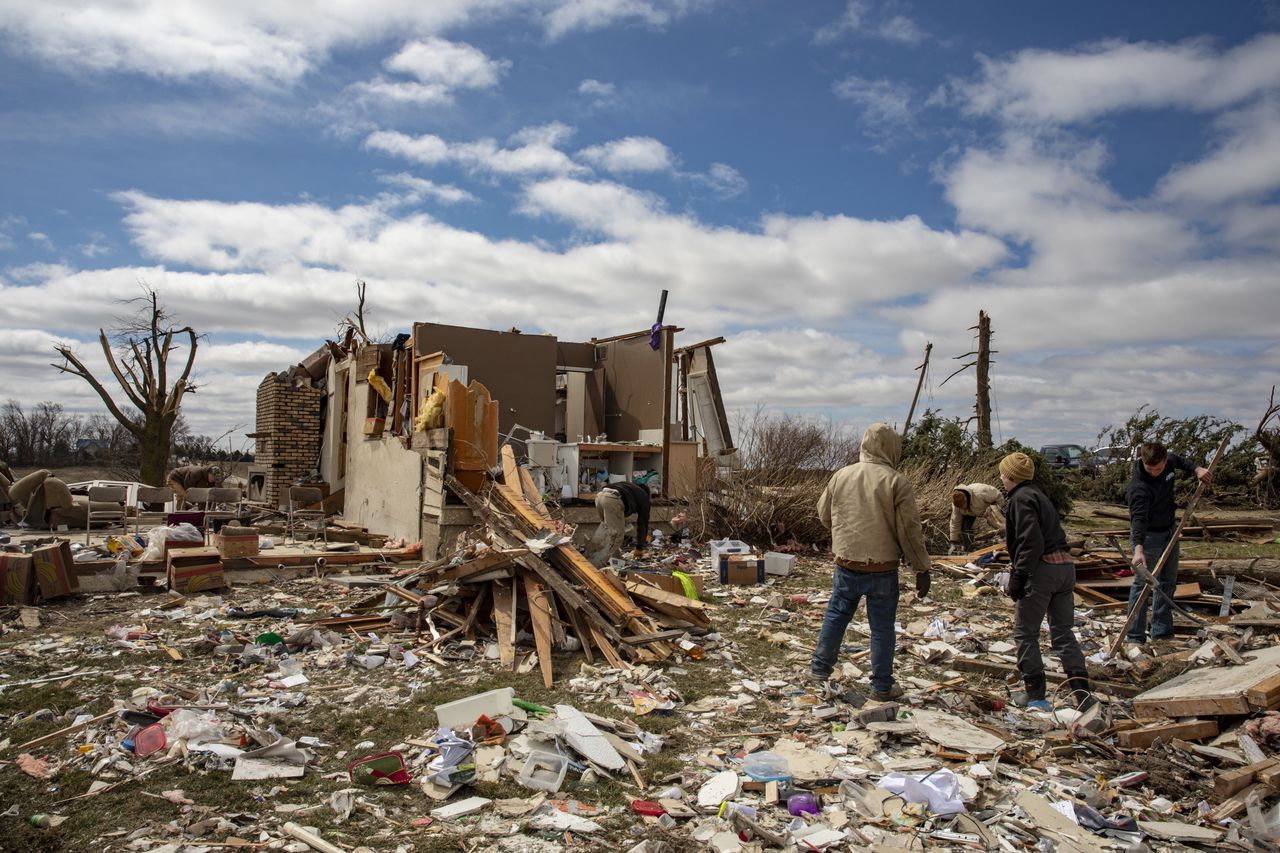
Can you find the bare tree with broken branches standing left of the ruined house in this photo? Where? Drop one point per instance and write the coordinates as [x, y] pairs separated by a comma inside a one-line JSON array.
[[140, 364]]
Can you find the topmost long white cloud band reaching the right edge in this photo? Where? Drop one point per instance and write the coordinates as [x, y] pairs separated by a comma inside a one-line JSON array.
[[1075, 86]]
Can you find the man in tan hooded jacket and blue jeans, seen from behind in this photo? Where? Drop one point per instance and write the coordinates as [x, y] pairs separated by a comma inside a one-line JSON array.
[[875, 522]]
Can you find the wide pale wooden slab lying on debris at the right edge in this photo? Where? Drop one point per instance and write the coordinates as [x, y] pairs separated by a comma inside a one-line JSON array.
[[1209, 692]]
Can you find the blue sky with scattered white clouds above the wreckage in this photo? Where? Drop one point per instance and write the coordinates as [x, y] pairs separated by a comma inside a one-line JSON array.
[[828, 185]]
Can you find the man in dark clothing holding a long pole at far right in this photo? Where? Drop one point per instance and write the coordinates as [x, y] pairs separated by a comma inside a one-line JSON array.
[[1151, 528]]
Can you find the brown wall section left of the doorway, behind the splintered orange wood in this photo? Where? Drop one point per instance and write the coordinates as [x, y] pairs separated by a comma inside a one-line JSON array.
[[518, 370]]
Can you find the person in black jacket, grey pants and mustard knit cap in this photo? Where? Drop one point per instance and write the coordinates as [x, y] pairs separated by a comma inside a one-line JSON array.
[[1041, 582]]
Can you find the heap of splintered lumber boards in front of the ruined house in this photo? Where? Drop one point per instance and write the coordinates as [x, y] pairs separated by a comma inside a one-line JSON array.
[[497, 585]]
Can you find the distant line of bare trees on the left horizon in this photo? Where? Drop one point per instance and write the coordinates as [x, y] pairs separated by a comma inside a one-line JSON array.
[[47, 436]]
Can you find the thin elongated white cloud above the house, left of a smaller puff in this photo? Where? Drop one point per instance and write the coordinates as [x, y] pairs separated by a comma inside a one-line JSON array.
[[537, 156]]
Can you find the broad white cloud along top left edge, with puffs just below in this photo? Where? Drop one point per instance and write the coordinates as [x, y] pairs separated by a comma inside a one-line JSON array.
[[271, 44]]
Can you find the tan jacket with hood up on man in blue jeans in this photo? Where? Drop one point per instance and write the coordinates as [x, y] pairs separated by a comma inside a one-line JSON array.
[[870, 507]]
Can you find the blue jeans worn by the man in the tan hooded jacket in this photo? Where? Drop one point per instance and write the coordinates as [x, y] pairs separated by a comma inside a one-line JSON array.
[[848, 589]]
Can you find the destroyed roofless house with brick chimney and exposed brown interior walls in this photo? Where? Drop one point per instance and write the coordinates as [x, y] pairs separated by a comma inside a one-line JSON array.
[[354, 418]]
